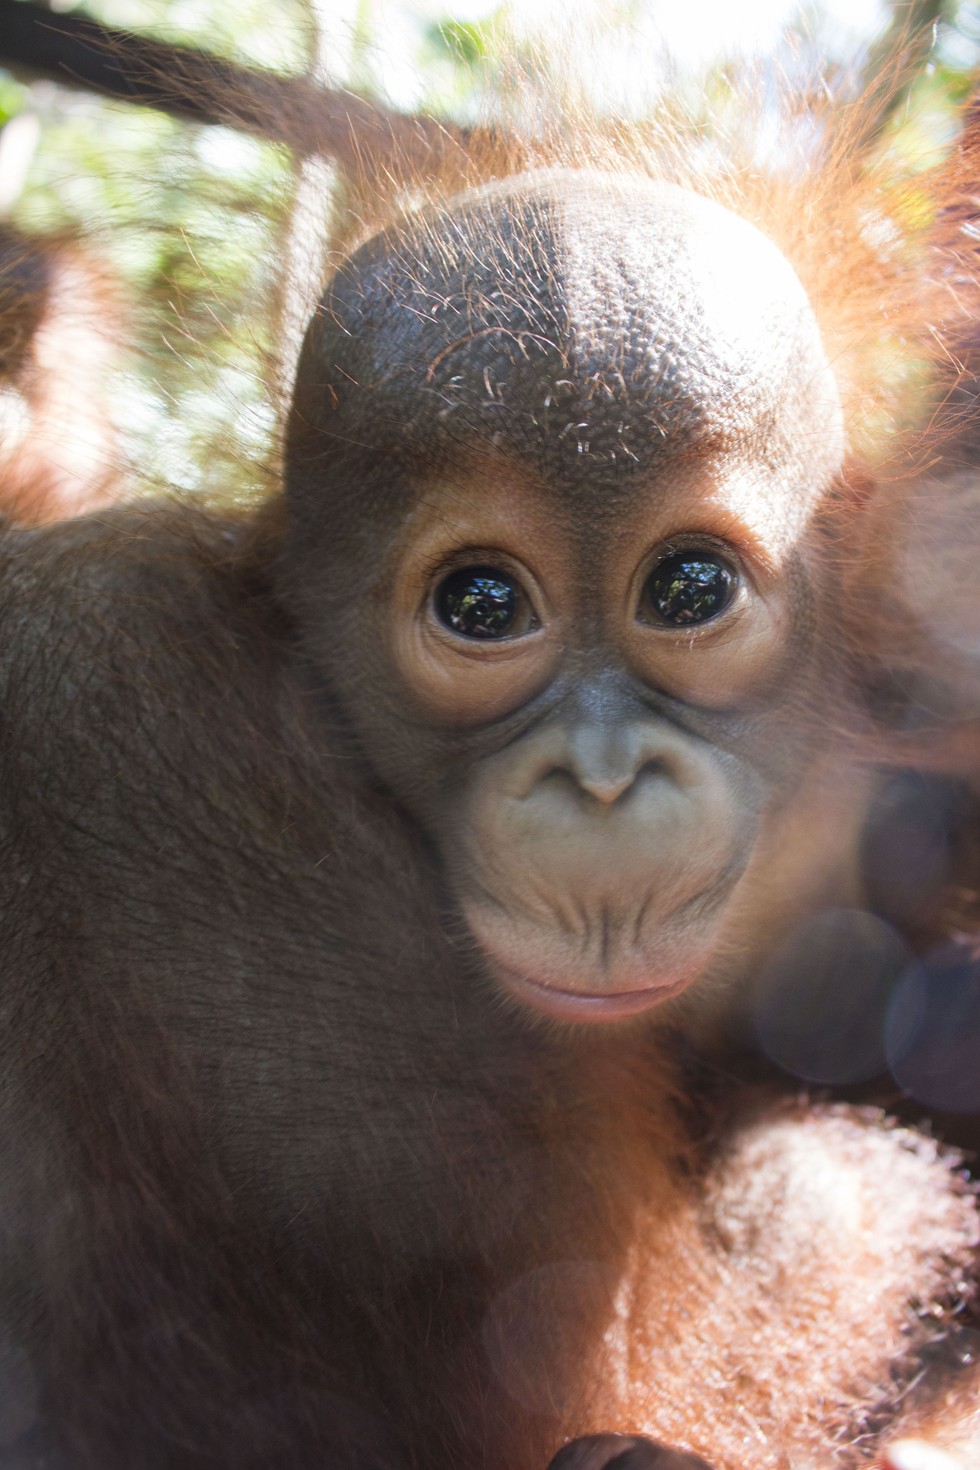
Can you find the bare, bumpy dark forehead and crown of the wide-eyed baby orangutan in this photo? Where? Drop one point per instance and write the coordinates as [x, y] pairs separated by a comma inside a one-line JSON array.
[[588, 323]]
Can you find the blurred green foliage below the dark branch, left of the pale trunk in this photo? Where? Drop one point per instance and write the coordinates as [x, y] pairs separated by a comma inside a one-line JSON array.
[[187, 221]]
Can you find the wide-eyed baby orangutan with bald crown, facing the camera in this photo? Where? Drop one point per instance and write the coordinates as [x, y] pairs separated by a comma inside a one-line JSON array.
[[368, 859]]
